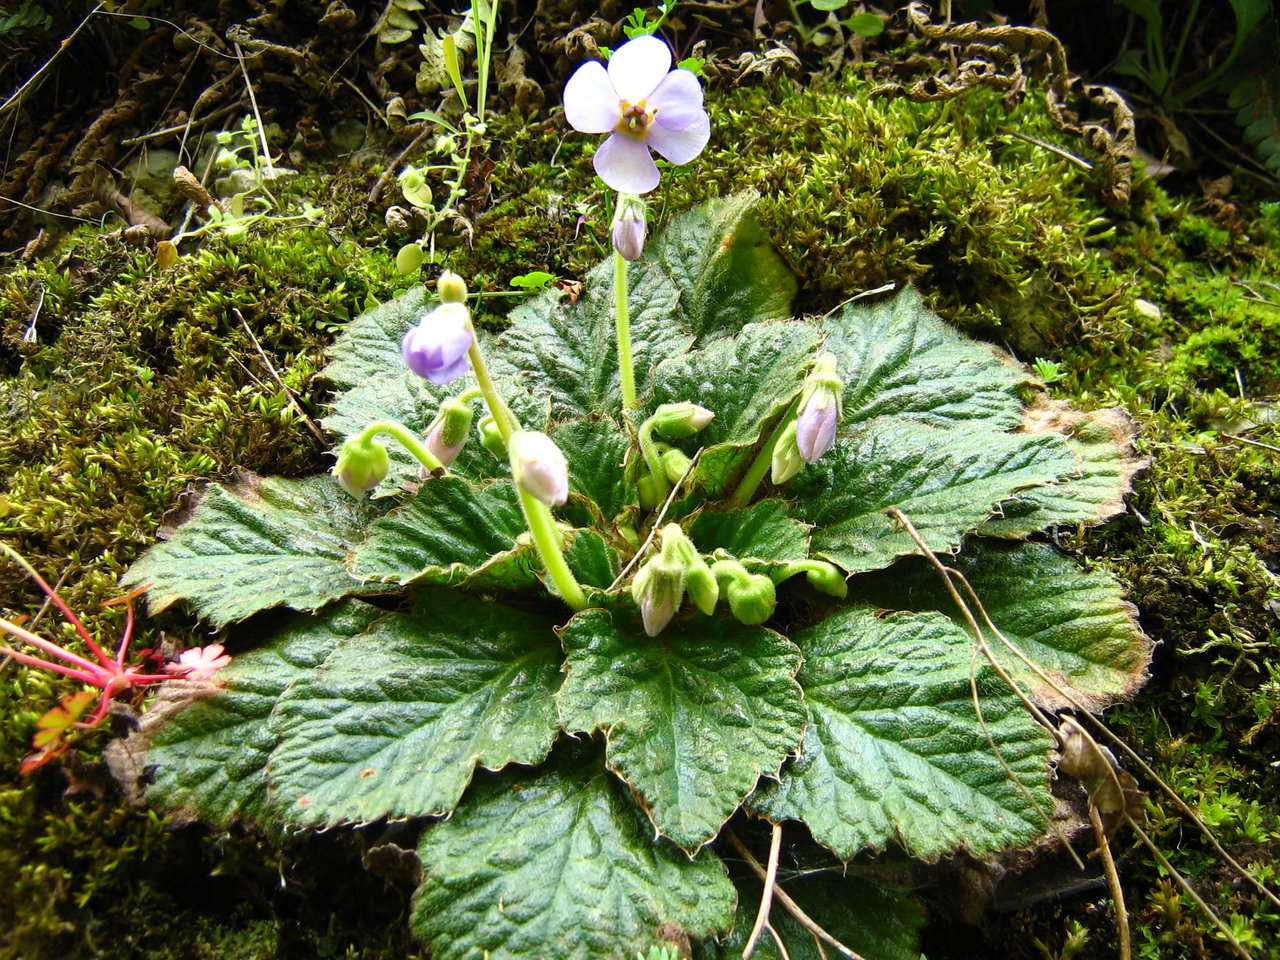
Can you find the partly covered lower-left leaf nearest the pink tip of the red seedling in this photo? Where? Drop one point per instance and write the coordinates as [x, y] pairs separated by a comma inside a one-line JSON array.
[[209, 746]]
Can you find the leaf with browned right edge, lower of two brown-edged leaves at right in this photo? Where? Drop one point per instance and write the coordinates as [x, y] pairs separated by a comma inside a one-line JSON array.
[[1072, 623]]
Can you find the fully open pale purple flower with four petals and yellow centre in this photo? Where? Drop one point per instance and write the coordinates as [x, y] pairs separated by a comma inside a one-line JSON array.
[[642, 103]]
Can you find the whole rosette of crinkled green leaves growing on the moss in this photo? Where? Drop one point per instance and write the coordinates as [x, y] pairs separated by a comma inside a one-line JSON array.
[[578, 775]]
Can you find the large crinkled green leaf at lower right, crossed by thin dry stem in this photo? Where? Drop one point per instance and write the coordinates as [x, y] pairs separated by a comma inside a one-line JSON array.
[[895, 749]]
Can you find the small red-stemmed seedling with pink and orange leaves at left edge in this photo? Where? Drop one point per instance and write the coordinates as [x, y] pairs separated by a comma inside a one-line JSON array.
[[109, 674]]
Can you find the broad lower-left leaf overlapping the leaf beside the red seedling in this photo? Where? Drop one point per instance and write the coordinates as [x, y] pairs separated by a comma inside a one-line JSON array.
[[395, 721]]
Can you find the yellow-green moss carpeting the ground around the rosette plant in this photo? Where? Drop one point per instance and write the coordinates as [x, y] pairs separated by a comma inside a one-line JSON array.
[[1004, 236]]
